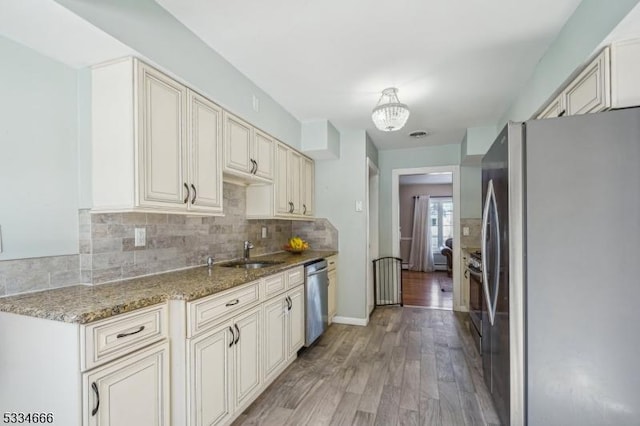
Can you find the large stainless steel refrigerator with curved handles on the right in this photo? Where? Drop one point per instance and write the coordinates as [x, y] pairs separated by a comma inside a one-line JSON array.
[[561, 250]]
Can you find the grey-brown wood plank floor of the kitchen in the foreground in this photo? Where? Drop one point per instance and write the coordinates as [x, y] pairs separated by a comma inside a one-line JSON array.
[[409, 366]]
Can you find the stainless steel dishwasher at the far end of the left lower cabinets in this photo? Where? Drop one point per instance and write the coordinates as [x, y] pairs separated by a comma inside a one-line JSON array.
[[316, 285]]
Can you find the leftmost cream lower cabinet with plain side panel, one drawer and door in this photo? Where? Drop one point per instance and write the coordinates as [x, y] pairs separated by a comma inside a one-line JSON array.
[[112, 372]]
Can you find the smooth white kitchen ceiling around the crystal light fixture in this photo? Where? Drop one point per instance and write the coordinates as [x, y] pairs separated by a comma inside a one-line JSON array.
[[456, 63]]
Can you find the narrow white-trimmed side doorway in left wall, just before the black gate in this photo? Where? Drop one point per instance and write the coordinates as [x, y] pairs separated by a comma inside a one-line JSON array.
[[372, 231]]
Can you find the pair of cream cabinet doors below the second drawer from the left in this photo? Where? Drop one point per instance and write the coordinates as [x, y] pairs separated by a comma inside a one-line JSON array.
[[224, 368]]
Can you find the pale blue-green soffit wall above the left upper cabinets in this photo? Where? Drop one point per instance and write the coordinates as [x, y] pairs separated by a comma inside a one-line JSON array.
[[147, 28]]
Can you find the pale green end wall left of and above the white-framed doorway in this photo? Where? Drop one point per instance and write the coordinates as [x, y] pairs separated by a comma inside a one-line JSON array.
[[442, 155]]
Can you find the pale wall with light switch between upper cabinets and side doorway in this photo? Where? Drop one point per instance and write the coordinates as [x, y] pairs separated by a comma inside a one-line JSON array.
[[339, 184]]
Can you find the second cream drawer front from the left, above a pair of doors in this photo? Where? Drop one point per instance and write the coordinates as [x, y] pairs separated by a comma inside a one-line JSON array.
[[206, 311]]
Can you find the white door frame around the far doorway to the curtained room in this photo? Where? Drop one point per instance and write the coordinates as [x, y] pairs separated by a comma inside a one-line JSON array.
[[459, 303]]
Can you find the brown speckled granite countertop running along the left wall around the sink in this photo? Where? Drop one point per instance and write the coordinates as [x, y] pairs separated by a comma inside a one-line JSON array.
[[82, 304]]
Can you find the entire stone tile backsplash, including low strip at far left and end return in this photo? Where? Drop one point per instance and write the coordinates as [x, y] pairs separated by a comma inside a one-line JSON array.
[[107, 251]]
